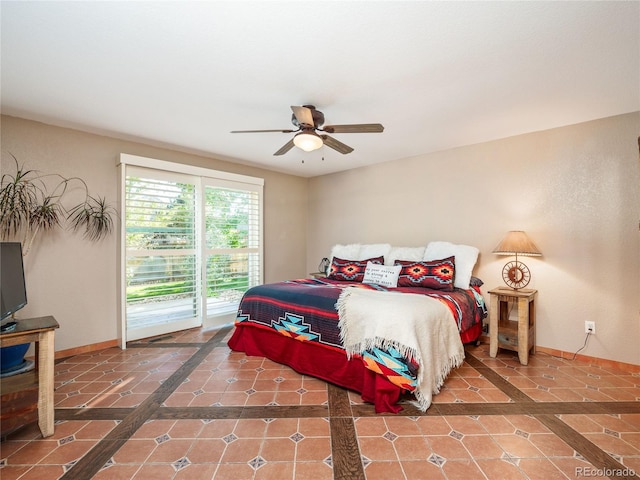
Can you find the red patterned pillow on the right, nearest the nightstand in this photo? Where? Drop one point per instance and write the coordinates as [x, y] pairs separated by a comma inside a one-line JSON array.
[[434, 274]]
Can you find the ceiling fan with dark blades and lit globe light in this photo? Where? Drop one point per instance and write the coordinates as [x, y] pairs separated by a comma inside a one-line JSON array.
[[309, 121]]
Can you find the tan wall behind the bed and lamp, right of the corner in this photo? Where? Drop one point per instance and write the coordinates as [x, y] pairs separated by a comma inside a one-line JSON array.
[[574, 190]]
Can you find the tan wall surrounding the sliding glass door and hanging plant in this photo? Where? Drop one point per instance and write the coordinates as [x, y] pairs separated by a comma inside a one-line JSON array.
[[75, 280]]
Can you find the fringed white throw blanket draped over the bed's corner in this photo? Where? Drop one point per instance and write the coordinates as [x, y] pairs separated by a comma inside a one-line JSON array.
[[416, 325]]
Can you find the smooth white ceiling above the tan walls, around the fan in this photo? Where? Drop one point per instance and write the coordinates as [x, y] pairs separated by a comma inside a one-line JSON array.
[[437, 75]]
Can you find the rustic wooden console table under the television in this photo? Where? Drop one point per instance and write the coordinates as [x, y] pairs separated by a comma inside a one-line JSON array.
[[15, 409]]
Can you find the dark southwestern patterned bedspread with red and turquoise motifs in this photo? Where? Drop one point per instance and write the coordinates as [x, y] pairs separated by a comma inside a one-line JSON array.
[[305, 310]]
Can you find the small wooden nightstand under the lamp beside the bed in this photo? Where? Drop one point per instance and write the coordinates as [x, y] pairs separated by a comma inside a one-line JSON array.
[[517, 335]]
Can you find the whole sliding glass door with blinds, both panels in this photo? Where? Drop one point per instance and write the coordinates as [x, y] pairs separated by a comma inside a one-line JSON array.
[[193, 246]]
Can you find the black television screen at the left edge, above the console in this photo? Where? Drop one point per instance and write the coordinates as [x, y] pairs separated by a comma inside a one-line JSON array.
[[13, 294]]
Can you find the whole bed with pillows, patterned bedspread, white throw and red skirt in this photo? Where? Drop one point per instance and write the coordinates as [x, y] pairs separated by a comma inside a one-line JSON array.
[[299, 322]]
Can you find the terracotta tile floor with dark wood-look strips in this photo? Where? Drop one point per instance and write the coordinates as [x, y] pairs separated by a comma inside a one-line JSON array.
[[185, 407]]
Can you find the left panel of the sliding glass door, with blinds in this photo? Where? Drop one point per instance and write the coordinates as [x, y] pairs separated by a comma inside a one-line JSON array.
[[163, 290]]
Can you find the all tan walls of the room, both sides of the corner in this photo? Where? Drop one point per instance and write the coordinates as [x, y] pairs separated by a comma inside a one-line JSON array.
[[575, 190]]
